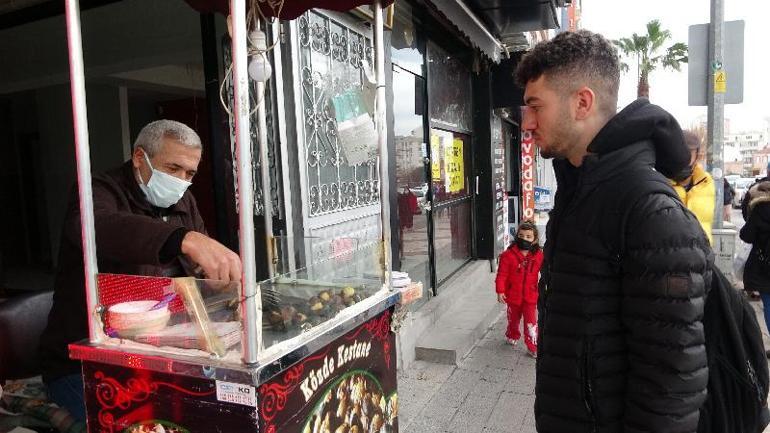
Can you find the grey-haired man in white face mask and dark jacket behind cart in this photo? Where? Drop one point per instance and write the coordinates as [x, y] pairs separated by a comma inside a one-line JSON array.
[[147, 223]]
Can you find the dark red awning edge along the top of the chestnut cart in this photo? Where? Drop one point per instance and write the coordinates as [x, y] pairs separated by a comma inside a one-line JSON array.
[[291, 8]]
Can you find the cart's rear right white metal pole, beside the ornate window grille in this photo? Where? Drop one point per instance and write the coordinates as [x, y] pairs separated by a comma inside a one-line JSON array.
[[382, 138]]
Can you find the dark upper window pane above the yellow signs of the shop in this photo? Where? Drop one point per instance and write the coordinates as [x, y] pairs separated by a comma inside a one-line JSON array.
[[449, 91]]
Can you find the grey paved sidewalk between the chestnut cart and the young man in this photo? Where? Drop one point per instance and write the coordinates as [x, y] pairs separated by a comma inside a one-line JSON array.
[[491, 390]]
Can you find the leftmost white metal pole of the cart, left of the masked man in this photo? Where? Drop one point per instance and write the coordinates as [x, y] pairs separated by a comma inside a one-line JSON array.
[[83, 160]]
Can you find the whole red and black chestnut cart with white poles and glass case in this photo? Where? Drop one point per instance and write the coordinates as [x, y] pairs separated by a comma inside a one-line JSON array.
[[308, 350]]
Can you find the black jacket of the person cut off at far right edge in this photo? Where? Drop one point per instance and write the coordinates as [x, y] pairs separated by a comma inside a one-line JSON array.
[[756, 231]]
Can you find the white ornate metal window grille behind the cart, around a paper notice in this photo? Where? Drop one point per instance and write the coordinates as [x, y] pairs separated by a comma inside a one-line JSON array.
[[331, 60]]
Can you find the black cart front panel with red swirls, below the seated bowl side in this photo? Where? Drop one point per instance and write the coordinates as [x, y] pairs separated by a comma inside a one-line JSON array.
[[128, 400]]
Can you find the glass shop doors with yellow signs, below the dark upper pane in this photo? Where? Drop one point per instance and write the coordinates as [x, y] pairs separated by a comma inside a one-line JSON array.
[[434, 193]]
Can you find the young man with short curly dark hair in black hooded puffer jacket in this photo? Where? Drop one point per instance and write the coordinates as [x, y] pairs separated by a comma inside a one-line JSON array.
[[621, 345]]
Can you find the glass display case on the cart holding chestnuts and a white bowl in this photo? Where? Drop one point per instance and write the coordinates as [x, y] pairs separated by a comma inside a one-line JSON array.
[[202, 317]]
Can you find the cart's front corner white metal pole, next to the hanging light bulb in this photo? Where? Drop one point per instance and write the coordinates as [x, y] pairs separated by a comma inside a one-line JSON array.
[[251, 302]]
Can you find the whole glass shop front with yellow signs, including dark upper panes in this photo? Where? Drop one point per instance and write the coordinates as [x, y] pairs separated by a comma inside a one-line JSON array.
[[432, 137]]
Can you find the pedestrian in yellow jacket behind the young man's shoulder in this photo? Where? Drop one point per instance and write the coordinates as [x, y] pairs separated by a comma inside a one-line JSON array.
[[696, 187]]
